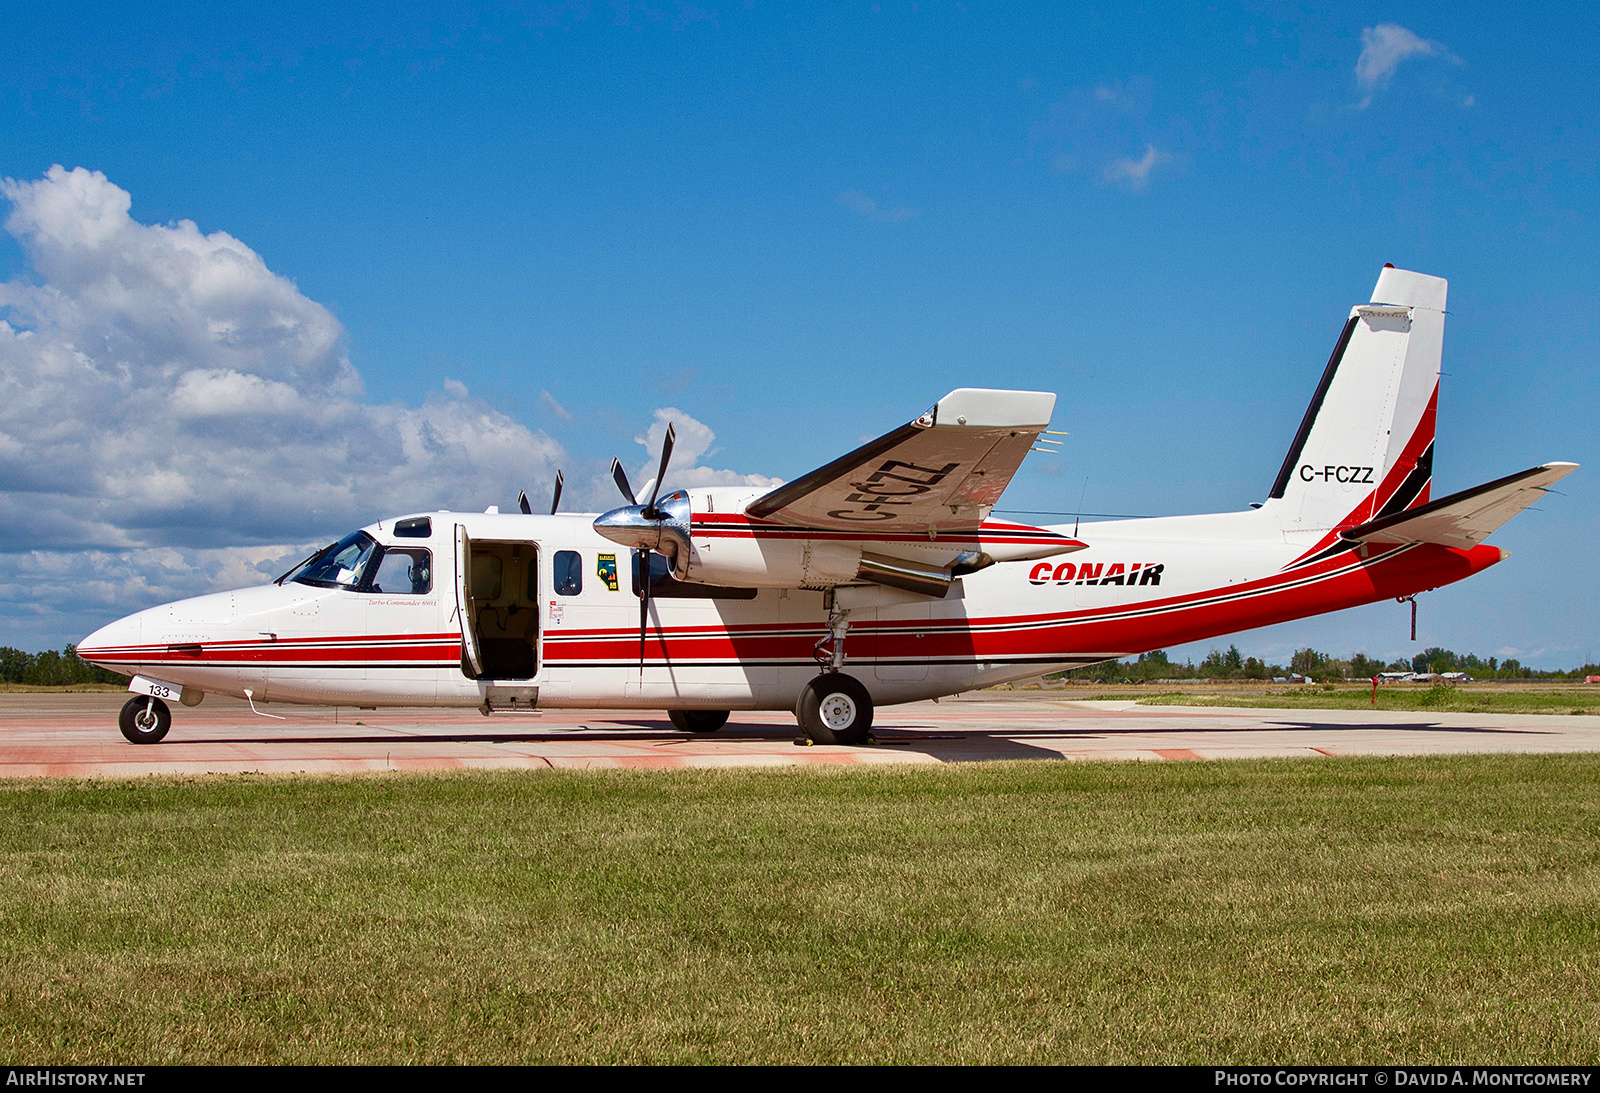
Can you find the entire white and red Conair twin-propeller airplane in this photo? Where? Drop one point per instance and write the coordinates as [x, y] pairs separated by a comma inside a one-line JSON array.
[[878, 579]]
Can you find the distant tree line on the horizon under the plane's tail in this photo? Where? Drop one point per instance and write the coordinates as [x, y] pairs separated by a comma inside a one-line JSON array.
[[1318, 667]]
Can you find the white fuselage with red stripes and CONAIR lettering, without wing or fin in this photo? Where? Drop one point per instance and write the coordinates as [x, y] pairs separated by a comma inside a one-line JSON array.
[[1153, 583]]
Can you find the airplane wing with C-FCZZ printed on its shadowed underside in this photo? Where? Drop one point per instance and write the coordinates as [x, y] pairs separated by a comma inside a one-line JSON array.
[[942, 473]]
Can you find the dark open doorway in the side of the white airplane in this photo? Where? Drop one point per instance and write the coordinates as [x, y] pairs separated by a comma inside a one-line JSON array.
[[502, 609]]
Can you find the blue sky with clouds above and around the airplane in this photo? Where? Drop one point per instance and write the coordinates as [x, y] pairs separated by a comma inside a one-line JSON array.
[[519, 233]]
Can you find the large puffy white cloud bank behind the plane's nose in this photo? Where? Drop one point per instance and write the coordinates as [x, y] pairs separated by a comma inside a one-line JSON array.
[[177, 418]]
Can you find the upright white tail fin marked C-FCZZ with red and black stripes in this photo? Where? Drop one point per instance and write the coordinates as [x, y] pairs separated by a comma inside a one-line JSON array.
[[1366, 447]]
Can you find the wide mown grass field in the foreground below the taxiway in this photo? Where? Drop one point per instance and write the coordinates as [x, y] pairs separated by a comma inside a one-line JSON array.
[[1276, 911]]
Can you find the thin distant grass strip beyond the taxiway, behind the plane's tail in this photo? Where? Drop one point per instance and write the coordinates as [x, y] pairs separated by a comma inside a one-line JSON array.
[[1460, 700]]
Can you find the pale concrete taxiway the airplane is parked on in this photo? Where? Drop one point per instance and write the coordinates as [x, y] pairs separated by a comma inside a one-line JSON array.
[[76, 737]]
